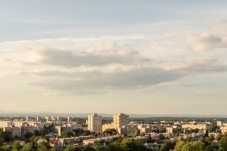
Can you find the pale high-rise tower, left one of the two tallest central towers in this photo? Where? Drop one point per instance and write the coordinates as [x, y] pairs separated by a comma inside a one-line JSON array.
[[94, 123]]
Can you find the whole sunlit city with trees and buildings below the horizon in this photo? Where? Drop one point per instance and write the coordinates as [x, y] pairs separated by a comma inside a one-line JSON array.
[[121, 132]]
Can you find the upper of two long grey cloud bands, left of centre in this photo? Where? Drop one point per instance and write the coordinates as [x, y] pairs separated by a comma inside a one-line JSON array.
[[67, 58]]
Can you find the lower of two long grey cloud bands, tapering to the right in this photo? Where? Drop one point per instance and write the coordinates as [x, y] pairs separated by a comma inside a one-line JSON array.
[[94, 81]]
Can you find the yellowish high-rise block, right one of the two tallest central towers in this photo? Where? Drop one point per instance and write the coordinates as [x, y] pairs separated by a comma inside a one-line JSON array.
[[120, 119]]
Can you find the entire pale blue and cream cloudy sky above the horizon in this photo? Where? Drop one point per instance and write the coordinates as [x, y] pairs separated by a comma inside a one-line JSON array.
[[131, 56]]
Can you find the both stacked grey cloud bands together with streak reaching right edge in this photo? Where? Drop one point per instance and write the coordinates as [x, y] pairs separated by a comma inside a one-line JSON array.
[[88, 72]]
